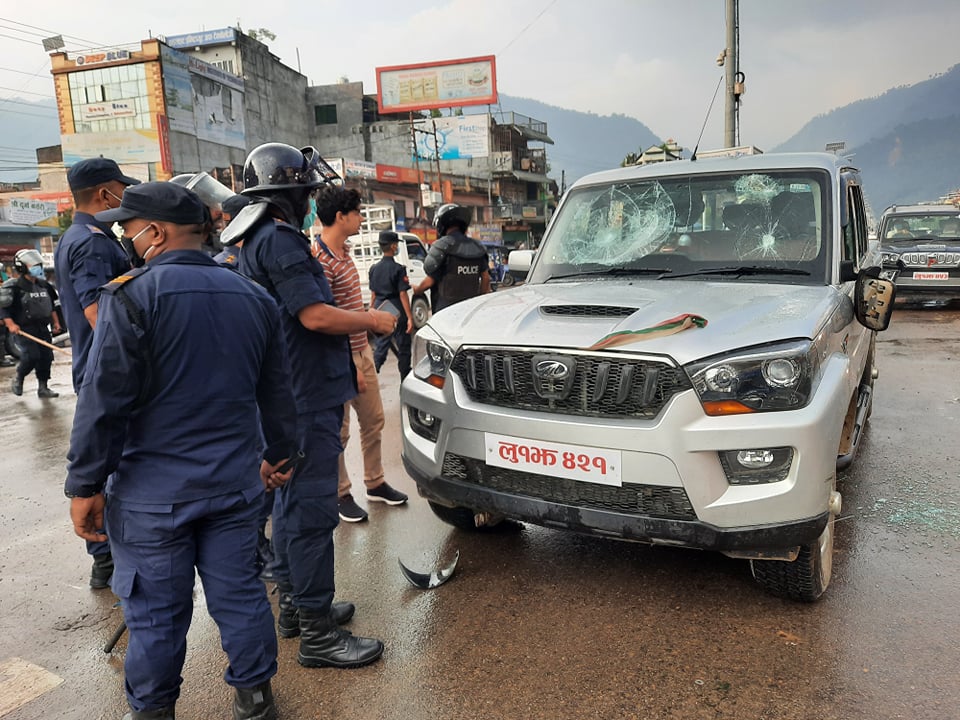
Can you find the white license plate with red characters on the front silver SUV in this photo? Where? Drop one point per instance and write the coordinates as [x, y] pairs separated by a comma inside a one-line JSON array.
[[575, 462]]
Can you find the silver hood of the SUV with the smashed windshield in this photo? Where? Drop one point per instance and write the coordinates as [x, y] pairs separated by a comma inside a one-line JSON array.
[[565, 315]]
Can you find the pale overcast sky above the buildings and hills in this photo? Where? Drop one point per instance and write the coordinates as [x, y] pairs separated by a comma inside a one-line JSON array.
[[654, 60]]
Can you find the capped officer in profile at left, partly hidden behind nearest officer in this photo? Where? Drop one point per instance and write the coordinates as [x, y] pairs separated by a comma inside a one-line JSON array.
[[87, 257]]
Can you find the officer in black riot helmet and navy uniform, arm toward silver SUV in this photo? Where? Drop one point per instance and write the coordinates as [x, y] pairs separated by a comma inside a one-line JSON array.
[[275, 253]]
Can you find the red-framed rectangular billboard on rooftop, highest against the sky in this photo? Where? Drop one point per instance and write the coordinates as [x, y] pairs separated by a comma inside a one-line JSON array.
[[448, 83]]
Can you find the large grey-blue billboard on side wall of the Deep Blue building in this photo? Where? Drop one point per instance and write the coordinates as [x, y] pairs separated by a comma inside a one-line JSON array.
[[202, 99]]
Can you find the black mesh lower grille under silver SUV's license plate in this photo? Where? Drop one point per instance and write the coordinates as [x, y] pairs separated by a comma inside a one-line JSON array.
[[651, 500]]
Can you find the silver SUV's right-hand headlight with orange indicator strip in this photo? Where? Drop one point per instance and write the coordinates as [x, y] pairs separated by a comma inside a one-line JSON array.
[[776, 377]]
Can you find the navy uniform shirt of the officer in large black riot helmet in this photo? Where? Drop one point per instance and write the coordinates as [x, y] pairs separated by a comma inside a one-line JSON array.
[[277, 256]]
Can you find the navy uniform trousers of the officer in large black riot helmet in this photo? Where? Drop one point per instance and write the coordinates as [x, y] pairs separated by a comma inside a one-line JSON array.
[[305, 513]]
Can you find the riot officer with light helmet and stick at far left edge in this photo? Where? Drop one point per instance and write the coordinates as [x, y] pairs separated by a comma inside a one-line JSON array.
[[29, 303]]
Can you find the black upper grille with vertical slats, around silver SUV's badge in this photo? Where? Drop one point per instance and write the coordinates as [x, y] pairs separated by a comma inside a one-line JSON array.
[[608, 385]]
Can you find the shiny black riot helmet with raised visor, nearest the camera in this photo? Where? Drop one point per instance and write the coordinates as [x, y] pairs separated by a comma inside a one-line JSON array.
[[278, 166]]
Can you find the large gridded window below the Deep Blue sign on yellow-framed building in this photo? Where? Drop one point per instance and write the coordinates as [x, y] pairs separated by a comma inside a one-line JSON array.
[[110, 99]]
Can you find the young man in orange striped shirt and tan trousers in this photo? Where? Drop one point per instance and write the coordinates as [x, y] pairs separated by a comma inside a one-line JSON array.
[[339, 211]]
